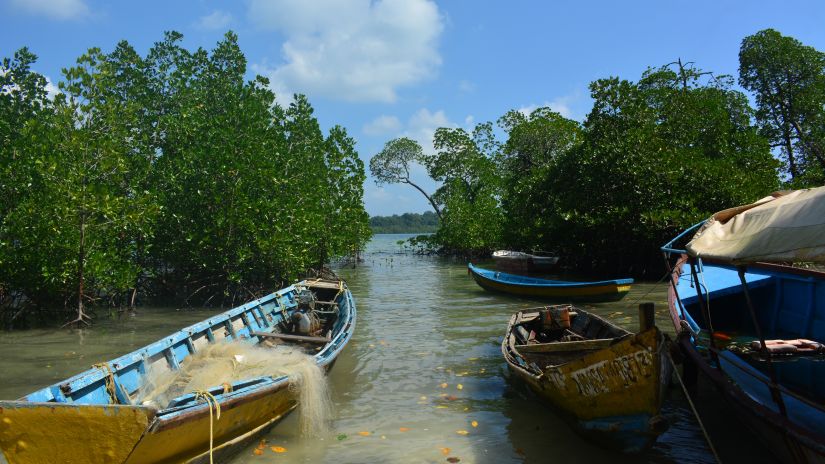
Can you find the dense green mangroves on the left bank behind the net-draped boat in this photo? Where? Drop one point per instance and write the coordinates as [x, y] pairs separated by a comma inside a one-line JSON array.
[[168, 174]]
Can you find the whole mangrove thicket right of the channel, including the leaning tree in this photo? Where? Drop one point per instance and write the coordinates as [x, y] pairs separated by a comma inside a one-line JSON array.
[[653, 157]]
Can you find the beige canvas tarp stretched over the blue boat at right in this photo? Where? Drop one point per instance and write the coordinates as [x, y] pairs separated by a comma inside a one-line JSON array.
[[785, 227]]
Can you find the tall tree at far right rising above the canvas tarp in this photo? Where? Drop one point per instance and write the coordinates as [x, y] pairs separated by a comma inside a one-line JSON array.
[[788, 81]]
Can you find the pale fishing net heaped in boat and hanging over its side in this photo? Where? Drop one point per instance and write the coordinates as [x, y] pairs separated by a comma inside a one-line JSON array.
[[225, 363]]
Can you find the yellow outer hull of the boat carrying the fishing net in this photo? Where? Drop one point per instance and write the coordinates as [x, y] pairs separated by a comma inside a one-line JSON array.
[[133, 434]]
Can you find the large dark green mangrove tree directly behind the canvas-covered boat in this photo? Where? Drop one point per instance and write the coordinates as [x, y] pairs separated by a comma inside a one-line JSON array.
[[656, 156]]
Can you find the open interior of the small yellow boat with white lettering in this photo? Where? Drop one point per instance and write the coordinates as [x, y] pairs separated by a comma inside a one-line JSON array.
[[554, 335]]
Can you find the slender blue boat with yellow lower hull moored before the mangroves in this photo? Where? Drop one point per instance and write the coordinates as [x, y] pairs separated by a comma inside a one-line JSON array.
[[553, 290]]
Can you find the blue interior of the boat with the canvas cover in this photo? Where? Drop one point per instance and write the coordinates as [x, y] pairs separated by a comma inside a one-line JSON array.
[[789, 306]]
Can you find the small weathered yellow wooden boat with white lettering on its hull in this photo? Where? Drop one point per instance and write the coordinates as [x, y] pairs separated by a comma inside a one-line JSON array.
[[608, 383]]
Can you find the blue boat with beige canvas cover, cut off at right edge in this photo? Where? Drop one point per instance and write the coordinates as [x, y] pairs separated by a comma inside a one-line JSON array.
[[753, 324]]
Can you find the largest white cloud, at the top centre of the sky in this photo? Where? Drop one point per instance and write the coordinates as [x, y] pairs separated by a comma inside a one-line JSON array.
[[354, 50]]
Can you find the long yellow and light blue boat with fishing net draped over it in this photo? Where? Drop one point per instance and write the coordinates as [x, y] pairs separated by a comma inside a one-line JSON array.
[[94, 417]]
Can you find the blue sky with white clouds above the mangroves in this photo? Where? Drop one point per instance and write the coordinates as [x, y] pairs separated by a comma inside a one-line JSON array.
[[390, 68]]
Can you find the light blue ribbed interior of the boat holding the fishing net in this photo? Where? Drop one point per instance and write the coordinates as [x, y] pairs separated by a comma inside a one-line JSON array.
[[310, 315]]
